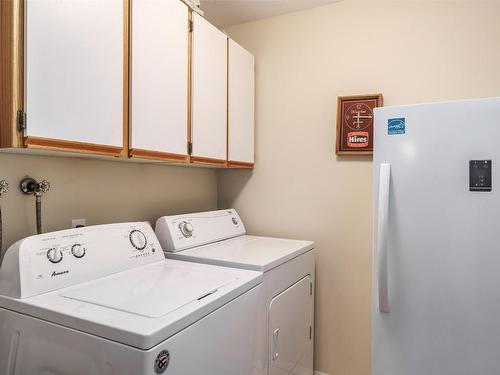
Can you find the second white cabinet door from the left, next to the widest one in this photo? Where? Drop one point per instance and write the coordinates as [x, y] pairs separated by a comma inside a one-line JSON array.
[[159, 78]]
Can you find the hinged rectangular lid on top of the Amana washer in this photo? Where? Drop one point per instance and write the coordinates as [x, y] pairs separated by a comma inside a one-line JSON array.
[[151, 294]]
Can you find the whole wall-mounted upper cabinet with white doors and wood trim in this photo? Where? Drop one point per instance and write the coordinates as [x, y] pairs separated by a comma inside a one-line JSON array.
[[146, 79]]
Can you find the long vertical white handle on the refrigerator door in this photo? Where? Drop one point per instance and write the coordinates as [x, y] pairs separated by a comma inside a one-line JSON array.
[[382, 236]]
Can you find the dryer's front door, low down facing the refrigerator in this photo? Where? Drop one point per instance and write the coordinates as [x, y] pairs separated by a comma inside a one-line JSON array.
[[290, 330]]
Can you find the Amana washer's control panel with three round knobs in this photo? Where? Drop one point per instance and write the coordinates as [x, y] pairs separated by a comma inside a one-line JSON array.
[[50, 261]]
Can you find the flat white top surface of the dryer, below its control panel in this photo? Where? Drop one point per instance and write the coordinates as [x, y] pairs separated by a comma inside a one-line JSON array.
[[247, 252]]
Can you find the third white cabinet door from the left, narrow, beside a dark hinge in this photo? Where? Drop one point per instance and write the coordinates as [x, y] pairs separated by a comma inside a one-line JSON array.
[[209, 96]]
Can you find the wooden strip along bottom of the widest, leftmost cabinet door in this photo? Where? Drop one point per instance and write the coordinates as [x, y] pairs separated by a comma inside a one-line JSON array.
[[72, 146]]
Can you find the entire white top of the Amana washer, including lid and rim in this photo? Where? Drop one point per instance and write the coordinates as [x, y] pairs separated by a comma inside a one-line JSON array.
[[122, 307]]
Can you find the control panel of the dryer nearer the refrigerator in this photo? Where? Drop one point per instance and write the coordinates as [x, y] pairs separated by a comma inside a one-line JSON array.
[[181, 232]]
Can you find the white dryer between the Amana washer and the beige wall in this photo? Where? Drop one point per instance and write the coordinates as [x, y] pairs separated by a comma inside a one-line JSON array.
[[286, 319]]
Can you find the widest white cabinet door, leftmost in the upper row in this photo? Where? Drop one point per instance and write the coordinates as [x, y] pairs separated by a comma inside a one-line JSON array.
[[74, 70]]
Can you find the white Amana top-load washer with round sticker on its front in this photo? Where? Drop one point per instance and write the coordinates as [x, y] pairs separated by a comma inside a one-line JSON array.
[[104, 300]]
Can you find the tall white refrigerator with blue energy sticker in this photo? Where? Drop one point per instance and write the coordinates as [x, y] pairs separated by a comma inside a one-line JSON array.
[[436, 274]]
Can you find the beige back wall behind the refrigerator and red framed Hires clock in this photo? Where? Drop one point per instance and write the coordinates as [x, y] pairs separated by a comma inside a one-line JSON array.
[[409, 51]]
